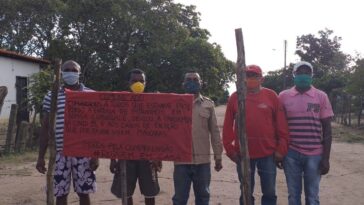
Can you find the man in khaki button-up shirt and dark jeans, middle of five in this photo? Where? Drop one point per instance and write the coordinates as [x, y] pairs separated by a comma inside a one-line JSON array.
[[204, 132]]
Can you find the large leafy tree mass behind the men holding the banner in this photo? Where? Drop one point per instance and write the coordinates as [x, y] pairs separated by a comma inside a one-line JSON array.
[[110, 37]]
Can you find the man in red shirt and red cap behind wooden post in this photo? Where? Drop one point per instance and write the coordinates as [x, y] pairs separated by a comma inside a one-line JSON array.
[[266, 131]]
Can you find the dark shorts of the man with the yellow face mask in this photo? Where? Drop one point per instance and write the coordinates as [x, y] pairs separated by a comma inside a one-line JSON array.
[[141, 171]]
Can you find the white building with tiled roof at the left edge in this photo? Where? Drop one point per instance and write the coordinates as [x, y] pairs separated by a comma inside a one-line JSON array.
[[15, 70]]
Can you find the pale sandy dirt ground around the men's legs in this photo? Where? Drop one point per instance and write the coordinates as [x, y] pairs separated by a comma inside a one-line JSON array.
[[344, 185]]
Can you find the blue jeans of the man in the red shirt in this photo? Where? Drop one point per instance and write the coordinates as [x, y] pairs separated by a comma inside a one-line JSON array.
[[267, 172]]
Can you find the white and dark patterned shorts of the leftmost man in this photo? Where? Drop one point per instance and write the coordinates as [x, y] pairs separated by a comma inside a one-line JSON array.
[[84, 179]]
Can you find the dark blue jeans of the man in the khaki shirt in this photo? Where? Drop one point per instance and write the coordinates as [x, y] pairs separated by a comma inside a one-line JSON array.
[[199, 175]]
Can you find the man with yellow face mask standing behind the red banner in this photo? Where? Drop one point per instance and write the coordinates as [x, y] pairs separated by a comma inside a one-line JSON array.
[[143, 171]]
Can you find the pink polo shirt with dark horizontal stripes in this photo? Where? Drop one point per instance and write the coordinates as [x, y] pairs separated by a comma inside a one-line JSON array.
[[304, 113]]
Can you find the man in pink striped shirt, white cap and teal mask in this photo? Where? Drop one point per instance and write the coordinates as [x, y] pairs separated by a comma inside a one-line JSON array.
[[309, 116]]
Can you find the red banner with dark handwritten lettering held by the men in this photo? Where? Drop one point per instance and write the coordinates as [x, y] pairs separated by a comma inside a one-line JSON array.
[[123, 125]]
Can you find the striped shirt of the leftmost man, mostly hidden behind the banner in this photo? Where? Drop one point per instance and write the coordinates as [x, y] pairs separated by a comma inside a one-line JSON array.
[[60, 113]]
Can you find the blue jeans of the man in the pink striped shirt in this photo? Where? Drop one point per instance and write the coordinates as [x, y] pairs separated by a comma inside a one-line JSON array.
[[296, 167]]
